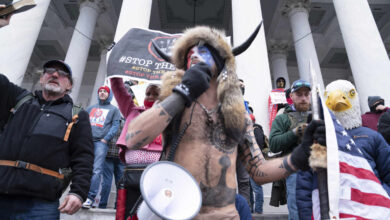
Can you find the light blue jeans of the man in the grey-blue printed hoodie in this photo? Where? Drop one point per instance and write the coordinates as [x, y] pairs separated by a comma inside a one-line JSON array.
[[100, 156]]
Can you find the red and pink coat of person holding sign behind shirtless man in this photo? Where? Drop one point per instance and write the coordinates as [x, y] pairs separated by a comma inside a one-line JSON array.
[[129, 111]]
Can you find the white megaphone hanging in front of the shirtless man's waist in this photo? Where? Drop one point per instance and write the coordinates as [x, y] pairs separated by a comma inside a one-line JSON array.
[[169, 192]]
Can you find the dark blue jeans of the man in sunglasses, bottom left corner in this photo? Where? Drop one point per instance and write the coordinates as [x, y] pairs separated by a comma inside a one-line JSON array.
[[27, 208]]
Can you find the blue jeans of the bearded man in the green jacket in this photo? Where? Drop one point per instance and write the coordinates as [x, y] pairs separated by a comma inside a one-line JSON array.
[[291, 183]]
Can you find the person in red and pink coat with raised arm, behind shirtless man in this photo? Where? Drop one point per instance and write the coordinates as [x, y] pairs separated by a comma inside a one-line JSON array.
[[135, 160]]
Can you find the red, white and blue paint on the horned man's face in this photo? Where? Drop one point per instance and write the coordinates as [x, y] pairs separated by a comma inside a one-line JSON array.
[[199, 54]]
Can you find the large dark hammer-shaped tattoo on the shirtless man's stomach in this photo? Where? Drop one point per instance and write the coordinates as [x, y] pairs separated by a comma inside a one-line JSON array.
[[219, 195]]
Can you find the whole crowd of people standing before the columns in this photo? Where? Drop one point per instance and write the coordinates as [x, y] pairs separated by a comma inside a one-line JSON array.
[[197, 118]]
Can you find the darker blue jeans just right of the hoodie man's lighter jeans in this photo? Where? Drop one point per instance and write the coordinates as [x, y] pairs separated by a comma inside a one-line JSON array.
[[112, 166]]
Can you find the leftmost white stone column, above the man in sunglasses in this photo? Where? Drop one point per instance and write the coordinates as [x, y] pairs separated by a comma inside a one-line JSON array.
[[17, 41]]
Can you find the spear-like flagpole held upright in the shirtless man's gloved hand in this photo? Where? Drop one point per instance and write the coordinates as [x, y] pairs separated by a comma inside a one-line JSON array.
[[318, 163]]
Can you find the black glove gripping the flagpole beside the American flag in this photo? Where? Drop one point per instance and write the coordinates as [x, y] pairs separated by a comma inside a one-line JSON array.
[[315, 132]]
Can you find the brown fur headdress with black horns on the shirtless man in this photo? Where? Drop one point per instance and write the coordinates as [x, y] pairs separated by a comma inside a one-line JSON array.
[[229, 92]]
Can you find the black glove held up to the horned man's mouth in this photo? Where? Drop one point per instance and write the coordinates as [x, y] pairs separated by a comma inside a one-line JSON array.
[[195, 81]]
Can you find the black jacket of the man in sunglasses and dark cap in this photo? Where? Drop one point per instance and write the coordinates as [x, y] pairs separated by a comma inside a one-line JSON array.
[[35, 135]]
